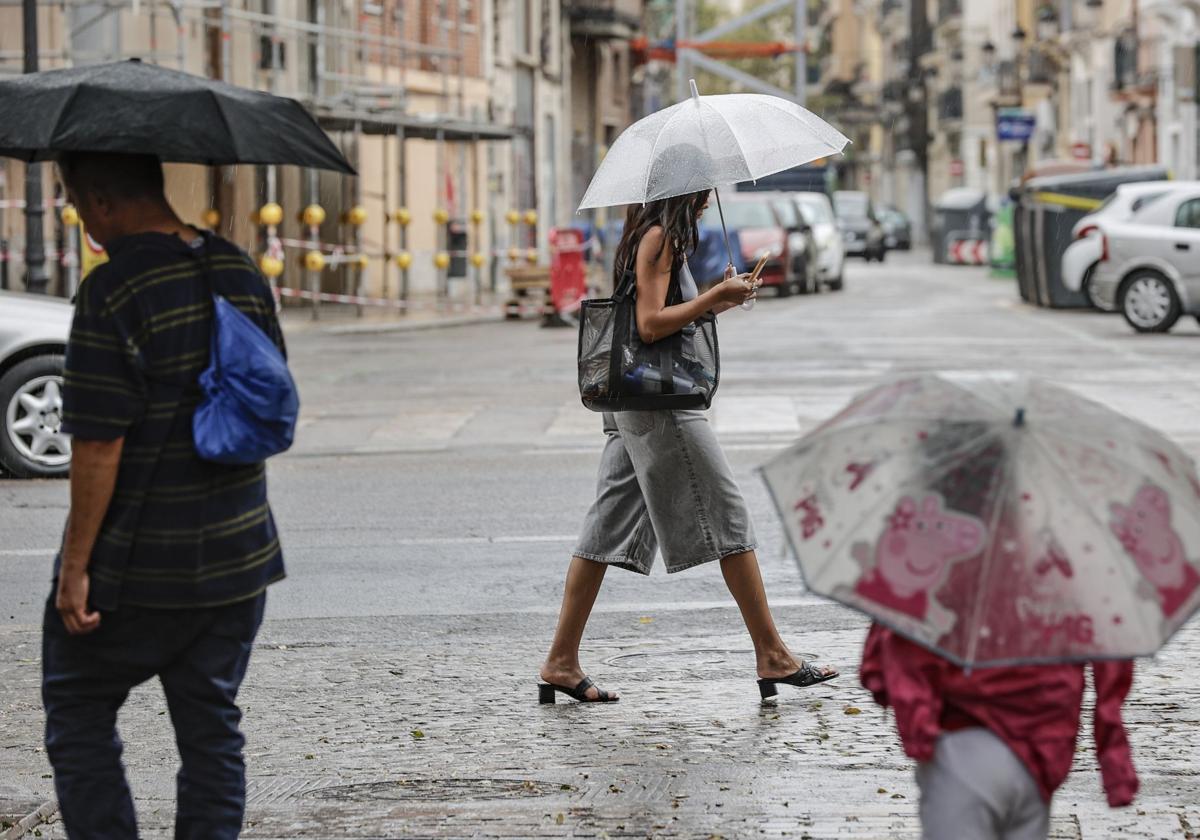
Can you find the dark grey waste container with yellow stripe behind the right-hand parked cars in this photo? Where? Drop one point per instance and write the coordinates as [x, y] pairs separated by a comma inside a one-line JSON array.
[[1047, 211]]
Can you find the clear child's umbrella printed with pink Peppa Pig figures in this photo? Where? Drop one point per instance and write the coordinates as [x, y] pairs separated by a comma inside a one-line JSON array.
[[997, 520]]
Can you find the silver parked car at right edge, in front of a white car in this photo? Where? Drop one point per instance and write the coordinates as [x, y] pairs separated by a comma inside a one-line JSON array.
[[1150, 265]]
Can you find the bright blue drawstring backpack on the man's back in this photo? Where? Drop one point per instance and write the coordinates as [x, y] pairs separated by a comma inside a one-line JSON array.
[[250, 405]]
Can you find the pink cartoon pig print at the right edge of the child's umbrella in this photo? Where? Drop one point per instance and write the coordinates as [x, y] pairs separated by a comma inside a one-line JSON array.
[[1145, 531]]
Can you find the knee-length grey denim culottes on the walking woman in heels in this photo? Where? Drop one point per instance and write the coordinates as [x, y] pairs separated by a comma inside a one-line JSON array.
[[664, 484]]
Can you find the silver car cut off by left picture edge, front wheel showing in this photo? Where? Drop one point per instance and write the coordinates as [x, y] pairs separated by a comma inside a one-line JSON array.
[[33, 344]]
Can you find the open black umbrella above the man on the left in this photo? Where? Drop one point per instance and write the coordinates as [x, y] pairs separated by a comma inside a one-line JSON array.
[[141, 109]]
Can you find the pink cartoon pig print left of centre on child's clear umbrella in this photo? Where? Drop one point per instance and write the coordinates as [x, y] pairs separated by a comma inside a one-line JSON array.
[[915, 553]]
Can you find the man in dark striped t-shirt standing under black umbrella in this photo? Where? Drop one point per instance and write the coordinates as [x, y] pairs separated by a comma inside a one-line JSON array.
[[166, 557]]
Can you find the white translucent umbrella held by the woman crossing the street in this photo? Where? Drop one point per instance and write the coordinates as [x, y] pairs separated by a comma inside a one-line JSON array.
[[710, 142]]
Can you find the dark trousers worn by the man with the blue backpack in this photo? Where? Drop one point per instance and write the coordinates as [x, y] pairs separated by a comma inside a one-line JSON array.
[[200, 657]]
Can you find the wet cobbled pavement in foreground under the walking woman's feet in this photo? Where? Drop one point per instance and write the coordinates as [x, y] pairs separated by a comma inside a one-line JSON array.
[[429, 728]]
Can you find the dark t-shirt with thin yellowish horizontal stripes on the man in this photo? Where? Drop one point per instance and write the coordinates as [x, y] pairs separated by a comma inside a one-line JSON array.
[[181, 532]]
